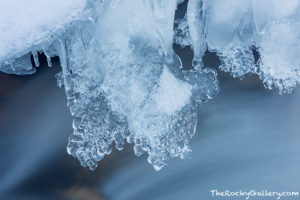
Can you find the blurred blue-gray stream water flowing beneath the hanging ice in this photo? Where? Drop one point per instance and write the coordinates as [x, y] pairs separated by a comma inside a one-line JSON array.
[[247, 138]]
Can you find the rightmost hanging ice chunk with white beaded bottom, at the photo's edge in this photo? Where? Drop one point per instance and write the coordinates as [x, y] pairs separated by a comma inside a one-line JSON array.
[[278, 30]]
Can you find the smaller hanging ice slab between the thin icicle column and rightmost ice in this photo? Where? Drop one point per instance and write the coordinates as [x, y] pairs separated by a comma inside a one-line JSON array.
[[230, 32]]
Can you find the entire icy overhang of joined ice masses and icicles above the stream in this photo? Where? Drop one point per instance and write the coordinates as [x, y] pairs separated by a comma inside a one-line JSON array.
[[123, 80]]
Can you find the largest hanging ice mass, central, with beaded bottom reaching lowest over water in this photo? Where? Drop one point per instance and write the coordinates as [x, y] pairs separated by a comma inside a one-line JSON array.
[[139, 92]]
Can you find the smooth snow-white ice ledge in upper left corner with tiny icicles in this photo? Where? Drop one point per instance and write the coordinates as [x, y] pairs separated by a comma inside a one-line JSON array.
[[31, 26]]
